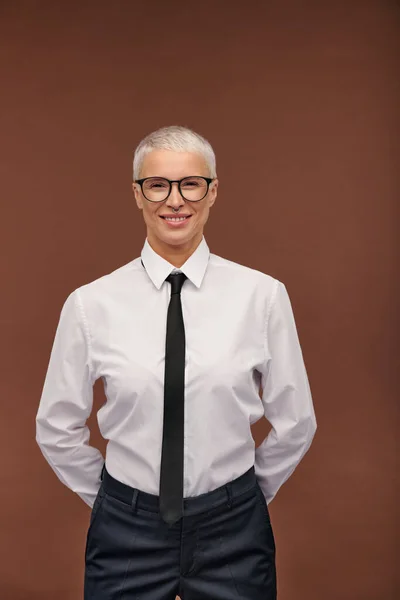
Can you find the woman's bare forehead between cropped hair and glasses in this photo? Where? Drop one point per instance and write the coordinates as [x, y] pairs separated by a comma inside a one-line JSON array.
[[173, 165]]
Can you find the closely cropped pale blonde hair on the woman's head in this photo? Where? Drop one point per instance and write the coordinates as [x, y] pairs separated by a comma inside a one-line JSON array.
[[177, 138]]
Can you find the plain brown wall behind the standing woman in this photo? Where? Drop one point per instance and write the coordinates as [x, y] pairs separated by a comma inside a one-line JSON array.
[[301, 103]]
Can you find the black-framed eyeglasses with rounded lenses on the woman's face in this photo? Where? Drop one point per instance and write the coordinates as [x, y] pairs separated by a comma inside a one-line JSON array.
[[157, 189]]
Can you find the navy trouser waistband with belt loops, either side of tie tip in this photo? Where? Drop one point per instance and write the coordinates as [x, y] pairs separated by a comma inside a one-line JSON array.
[[191, 505]]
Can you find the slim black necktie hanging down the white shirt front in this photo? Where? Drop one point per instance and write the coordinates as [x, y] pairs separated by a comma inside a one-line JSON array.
[[171, 475]]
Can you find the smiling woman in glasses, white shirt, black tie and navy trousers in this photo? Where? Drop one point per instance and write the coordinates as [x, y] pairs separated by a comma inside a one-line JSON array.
[[182, 339]]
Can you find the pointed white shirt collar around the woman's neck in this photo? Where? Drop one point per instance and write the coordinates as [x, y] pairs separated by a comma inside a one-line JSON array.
[[158, 268]]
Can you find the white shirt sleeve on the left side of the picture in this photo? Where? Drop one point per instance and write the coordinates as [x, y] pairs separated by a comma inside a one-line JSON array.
[[66, 403]]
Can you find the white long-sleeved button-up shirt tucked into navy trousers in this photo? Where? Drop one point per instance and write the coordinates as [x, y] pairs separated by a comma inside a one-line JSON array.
[[240, 332]]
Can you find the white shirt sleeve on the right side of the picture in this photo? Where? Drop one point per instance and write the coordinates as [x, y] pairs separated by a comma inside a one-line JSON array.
[[286, 398]]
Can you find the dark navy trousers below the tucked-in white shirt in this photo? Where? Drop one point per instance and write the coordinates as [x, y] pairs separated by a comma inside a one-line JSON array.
[[223, 547]]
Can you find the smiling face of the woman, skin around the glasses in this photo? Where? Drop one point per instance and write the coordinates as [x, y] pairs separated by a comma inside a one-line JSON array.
[[174, 165]]
